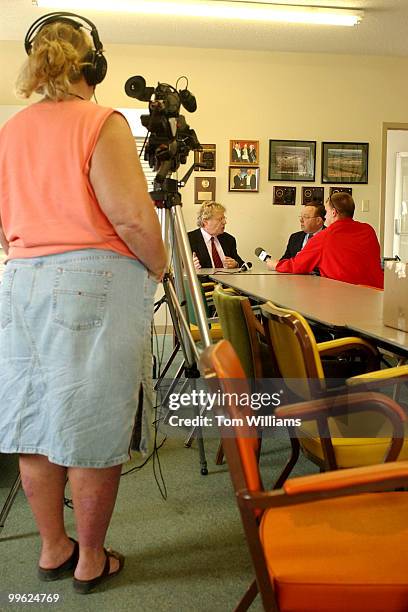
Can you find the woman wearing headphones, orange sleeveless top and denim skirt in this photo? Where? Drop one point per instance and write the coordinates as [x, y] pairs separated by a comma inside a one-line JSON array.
[[84, 255]]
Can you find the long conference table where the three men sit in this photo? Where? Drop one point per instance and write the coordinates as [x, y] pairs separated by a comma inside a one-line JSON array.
[[345, 308]]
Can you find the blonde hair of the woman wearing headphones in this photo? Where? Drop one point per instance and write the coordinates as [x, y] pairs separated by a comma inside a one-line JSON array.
[[58, 54]]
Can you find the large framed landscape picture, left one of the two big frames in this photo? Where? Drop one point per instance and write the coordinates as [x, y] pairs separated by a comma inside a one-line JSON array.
[[292, 160]]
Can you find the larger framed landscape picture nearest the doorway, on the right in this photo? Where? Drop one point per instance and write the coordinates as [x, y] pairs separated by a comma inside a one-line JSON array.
[[344, 162]]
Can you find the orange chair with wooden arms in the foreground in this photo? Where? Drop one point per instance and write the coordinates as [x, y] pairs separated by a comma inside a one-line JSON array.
[[321, 543]]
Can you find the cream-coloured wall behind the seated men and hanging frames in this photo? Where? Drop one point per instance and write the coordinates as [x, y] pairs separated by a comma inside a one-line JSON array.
[[262, 96]]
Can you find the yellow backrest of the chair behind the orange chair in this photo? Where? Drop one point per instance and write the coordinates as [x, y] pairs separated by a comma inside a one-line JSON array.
[[294, 347]]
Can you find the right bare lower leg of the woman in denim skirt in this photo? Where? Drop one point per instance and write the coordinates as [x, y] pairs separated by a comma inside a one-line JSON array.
[[94, 493]]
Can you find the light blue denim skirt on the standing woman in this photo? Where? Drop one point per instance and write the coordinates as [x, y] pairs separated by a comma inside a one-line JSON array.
[[74, 351]]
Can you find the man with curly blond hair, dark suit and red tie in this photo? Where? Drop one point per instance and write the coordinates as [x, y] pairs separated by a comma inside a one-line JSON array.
[[212, 247]]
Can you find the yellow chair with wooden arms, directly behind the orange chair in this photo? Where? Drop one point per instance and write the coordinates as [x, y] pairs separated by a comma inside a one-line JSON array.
[[299, 361]]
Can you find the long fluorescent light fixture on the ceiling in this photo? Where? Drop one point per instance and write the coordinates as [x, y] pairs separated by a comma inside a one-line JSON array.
[[246, 11]]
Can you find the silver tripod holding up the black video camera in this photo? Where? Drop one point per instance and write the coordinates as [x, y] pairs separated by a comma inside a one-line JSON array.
[[168, 200]]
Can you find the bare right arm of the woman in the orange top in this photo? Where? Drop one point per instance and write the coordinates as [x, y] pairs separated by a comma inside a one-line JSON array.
[[120, 187]]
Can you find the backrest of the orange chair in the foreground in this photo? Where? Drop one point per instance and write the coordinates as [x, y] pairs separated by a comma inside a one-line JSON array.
[[240, 440]]
